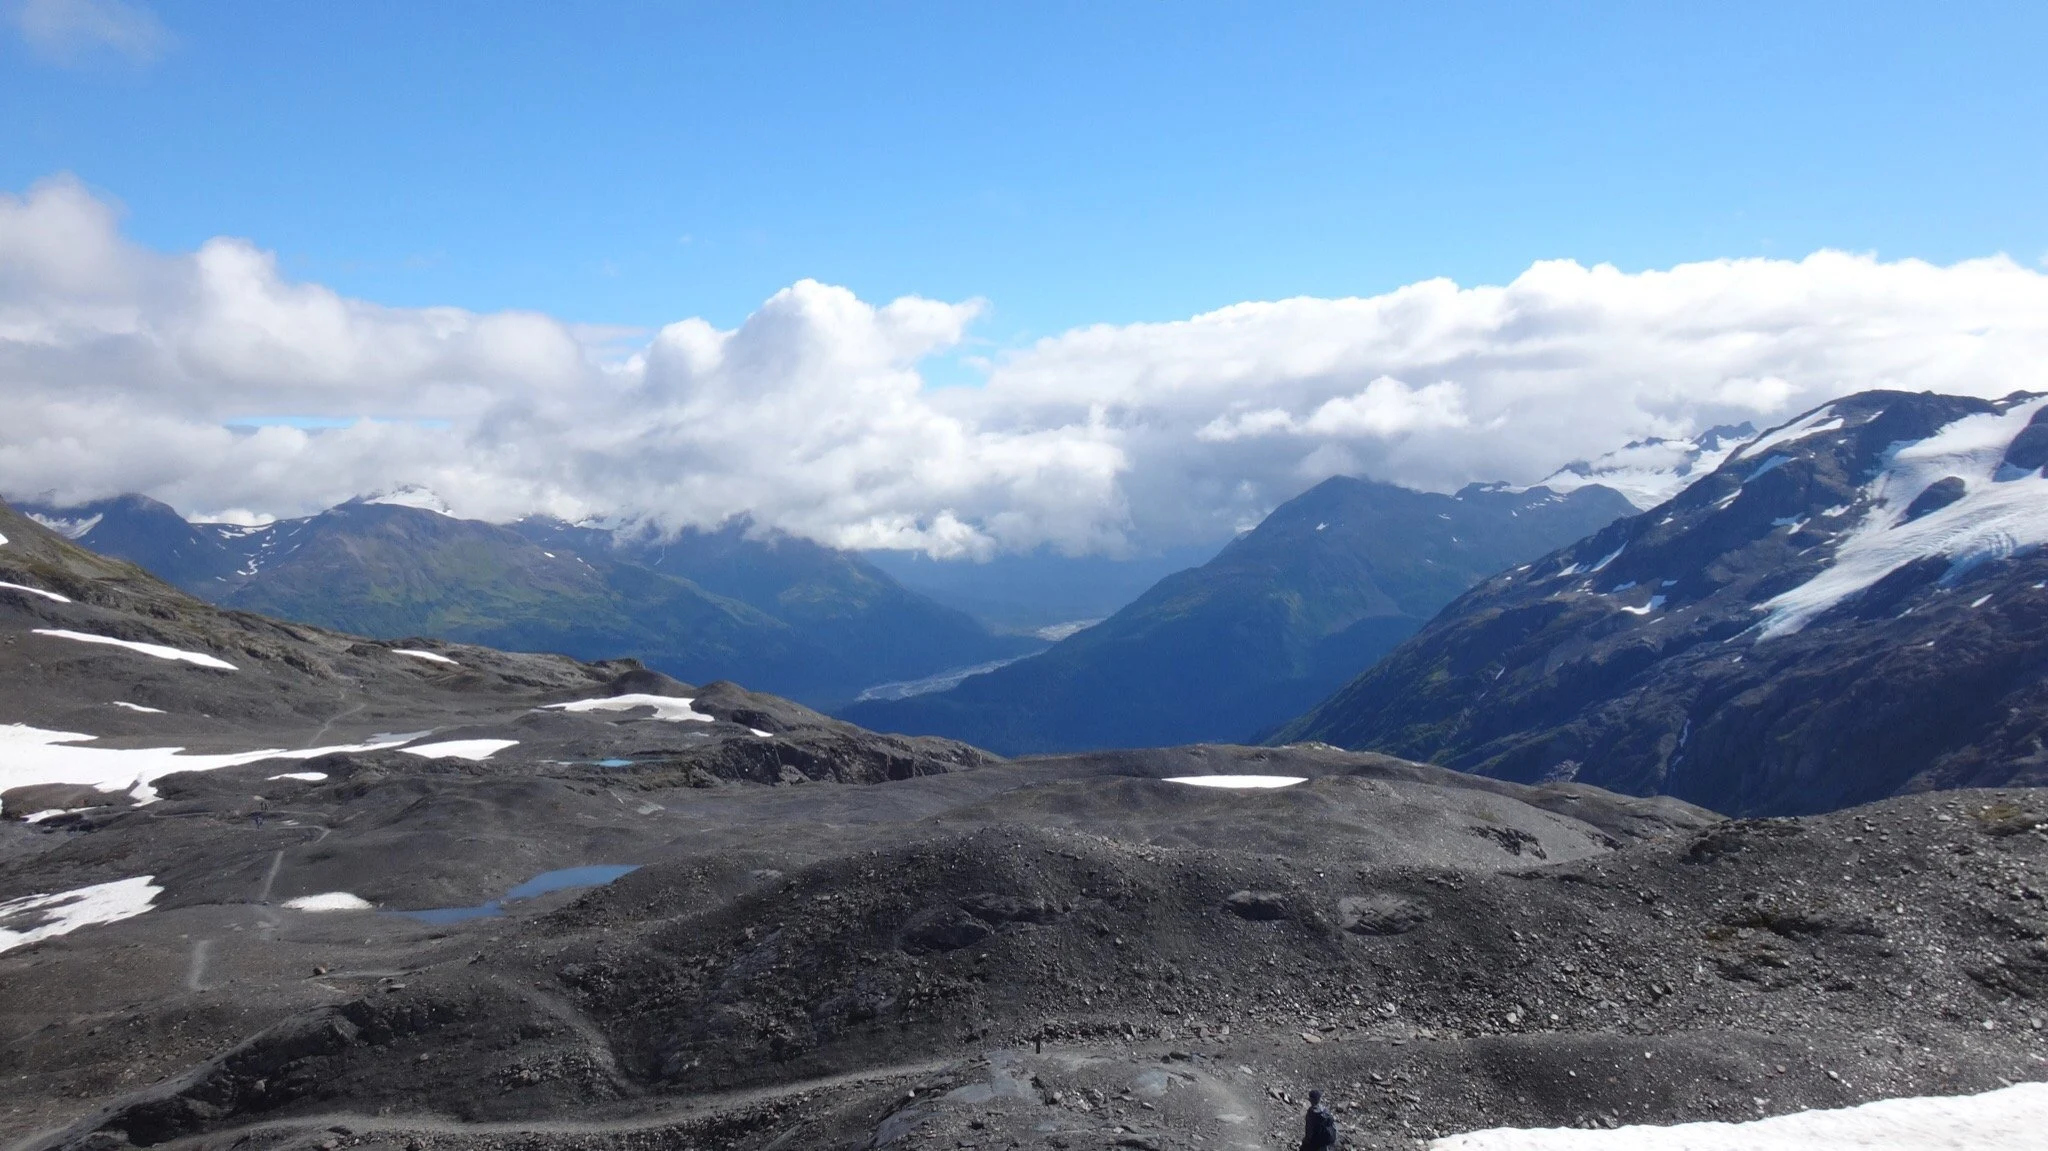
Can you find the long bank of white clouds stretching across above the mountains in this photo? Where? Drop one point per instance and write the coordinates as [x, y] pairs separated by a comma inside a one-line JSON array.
[[126, 370]]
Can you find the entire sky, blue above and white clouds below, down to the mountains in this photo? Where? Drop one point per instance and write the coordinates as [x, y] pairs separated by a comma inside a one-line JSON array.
[[435, 243]]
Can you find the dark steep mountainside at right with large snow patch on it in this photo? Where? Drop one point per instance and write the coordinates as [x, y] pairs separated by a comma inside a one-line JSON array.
[[1848, 609]]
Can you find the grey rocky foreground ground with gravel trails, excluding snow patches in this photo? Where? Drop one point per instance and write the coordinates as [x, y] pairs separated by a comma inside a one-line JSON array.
[[837, 939]]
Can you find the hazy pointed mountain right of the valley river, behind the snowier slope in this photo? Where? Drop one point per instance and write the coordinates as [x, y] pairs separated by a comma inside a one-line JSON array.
[[1285, 615]]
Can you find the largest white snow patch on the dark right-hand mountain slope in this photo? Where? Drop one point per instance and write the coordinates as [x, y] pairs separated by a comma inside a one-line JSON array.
[[1992, 521]]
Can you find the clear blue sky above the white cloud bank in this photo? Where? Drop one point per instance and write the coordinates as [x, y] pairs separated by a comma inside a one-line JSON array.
[[1070, 163]]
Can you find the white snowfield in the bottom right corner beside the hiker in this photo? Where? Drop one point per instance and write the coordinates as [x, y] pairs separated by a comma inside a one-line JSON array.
[[2010, 1119]]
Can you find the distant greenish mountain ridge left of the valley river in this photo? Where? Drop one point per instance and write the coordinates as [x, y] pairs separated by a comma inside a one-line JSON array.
[[759, 607]]
